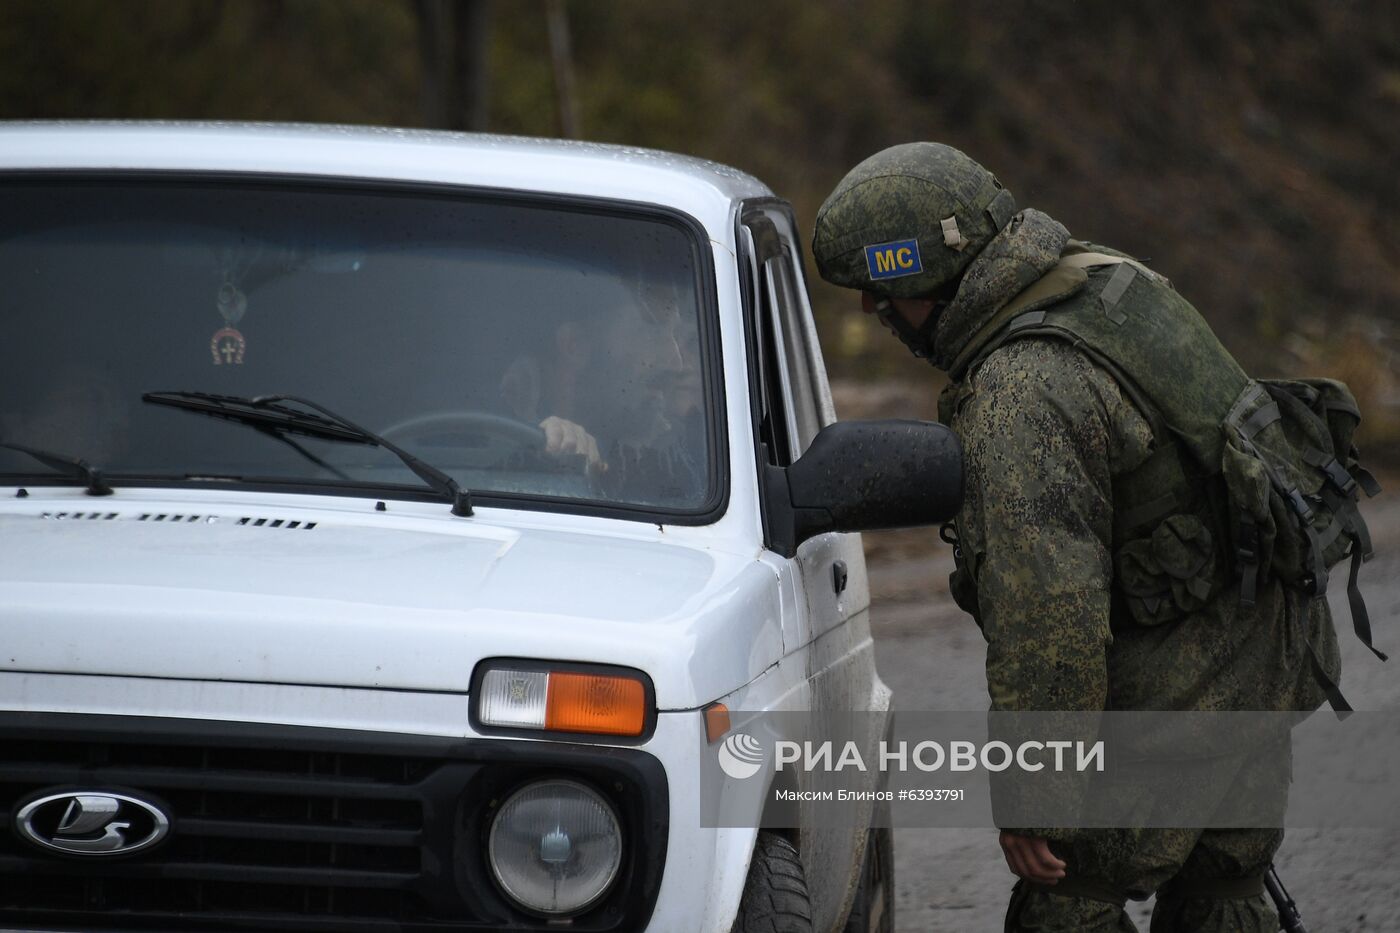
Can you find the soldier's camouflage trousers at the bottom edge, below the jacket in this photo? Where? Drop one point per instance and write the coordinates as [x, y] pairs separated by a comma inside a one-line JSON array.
[[1202, 879]]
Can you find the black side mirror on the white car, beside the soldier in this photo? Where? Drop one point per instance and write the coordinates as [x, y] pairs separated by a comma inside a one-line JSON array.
[[863, 477]]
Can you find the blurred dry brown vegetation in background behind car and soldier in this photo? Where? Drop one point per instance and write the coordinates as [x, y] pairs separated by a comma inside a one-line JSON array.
[[1247, 149]]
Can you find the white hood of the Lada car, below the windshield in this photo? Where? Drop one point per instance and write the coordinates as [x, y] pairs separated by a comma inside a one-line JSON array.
[[376, 602]]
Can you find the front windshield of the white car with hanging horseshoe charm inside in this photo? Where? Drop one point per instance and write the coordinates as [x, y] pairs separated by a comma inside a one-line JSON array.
[[534, 351]]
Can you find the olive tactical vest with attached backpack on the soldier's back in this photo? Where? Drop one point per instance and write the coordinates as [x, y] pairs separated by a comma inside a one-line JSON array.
[[1262, 478]]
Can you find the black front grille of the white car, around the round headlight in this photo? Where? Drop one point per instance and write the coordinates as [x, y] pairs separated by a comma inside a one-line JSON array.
[[278, 829]]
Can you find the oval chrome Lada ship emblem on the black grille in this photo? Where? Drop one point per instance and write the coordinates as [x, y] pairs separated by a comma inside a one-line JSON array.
[[92, 823]]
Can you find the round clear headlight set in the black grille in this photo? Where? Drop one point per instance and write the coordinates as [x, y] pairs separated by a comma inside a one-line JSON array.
[[555, 847]]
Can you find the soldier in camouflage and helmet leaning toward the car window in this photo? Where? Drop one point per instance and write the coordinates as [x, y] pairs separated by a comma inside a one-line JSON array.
[[1087, 550]]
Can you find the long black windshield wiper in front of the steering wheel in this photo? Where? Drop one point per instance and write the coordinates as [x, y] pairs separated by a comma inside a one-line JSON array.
[[268, 415]]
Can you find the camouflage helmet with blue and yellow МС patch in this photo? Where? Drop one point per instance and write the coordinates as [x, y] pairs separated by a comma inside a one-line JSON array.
[[909, 221]]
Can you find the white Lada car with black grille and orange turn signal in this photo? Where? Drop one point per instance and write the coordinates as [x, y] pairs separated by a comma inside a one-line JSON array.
[[394, 523]]
